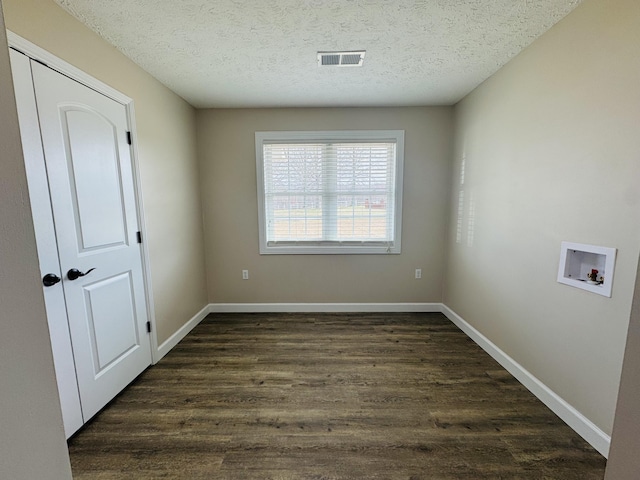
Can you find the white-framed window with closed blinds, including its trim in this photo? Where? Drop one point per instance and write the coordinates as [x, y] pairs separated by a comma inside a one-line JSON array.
[[330, 192]]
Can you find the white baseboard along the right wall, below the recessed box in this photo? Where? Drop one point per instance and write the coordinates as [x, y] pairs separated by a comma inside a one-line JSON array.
[[572, 417]]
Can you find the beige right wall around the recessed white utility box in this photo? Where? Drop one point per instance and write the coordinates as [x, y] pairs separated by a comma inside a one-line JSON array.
[[550, 149]]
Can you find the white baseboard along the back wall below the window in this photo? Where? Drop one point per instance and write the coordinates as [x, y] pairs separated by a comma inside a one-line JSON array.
[[322, 307]]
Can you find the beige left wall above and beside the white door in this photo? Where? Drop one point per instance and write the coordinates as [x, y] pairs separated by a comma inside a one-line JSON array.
[[166, 148]]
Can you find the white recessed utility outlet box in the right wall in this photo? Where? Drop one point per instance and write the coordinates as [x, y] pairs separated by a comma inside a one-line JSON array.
[[587, 266]]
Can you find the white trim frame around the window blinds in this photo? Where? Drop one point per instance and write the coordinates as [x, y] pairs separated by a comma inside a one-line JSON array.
[[330, 248]]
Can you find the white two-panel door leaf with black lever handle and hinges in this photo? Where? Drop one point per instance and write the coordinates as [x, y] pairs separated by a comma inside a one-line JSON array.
[[91, 187]]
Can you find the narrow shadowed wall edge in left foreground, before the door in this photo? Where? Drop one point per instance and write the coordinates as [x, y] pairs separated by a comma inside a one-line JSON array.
[[32, 441]]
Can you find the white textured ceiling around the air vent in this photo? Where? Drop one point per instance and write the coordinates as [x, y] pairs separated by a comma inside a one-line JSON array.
[[262, 53]]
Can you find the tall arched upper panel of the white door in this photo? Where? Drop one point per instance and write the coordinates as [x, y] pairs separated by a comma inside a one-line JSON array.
[[94, 176]]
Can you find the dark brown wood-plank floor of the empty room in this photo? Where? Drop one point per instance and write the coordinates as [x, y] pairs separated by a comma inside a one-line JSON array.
[[329, 396]]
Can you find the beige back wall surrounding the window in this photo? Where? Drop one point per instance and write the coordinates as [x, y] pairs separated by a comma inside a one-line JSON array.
[[226, 150]]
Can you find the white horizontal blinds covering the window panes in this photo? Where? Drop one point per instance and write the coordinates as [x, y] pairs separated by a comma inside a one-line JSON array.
[[329, 192]]
